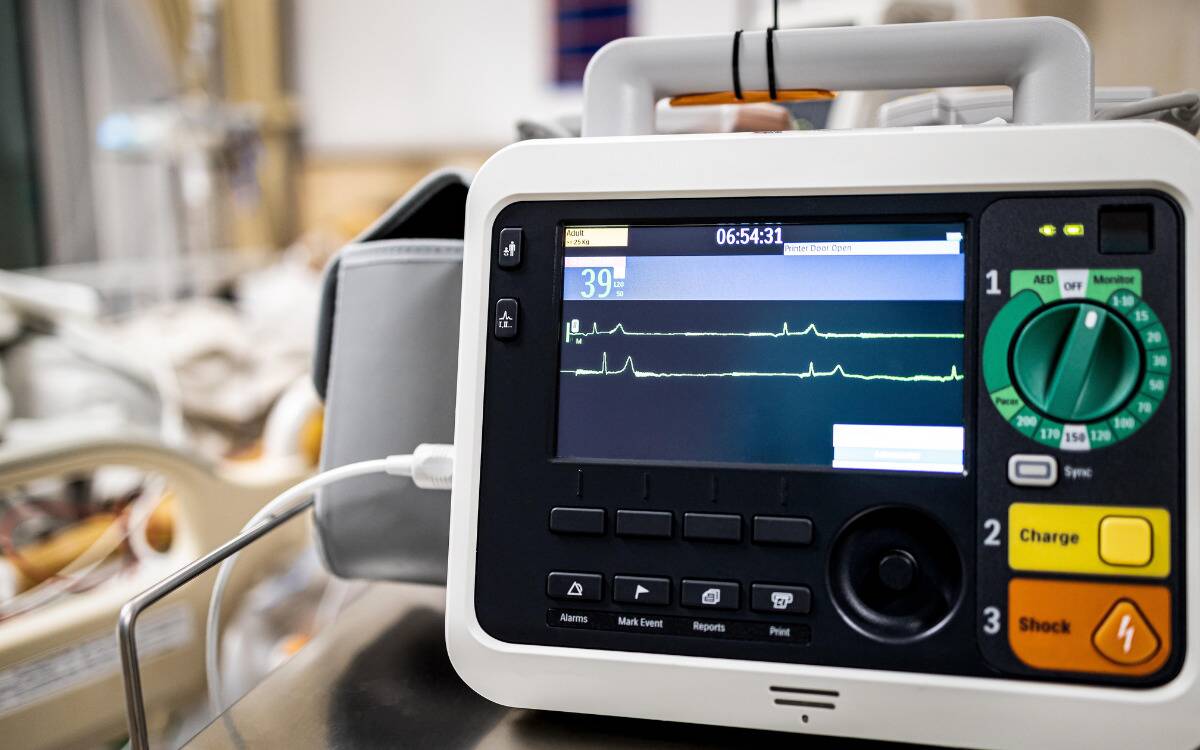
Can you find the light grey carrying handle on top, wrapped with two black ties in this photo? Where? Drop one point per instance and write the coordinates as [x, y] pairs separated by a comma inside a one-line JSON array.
[[1047, 62]]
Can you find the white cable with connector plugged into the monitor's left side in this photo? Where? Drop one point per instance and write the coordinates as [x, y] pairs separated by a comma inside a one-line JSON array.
[[431, 467]]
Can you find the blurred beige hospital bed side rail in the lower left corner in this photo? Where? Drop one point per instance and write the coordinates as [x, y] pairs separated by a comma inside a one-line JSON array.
[[59, 667]]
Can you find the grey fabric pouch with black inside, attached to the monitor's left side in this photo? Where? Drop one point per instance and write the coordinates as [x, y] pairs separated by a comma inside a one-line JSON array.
[[386, 367]]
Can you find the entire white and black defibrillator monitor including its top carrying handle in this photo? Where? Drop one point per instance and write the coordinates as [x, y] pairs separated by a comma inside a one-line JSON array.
[[872, 434]]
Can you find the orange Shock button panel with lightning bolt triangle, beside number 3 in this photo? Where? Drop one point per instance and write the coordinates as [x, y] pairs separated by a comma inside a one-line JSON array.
[[1101, 628]]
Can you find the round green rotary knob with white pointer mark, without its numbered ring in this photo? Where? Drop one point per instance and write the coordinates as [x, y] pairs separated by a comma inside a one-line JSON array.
[[1076, 363]]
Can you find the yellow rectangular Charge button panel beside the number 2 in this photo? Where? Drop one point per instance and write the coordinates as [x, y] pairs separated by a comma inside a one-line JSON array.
[[1090, 539]]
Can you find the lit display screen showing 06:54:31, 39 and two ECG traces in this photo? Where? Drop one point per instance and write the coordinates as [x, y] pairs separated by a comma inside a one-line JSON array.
[[765, 344]]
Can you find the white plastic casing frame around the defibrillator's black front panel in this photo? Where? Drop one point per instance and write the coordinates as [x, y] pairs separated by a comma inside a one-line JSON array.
[[871, 704]]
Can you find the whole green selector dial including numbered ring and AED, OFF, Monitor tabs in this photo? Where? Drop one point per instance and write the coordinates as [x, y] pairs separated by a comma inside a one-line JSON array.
[[1078, 373]]
